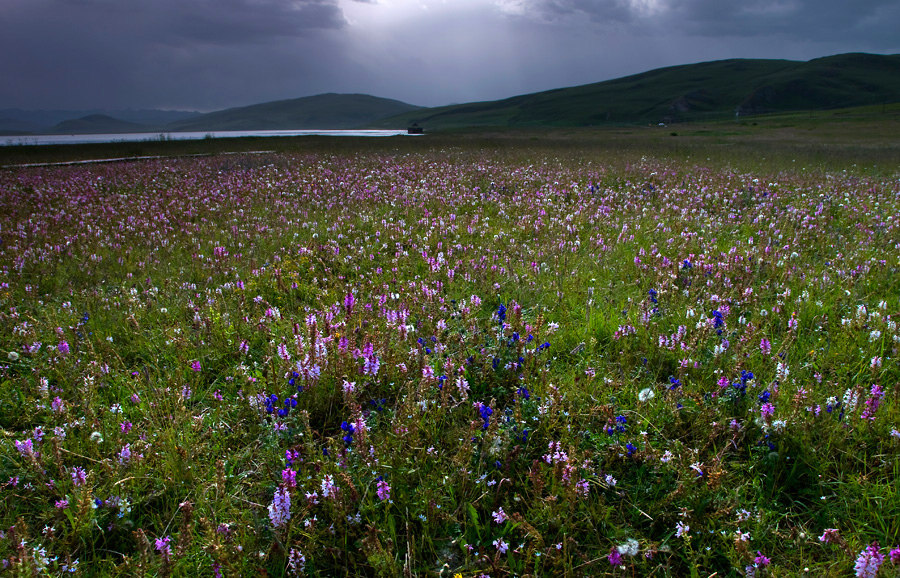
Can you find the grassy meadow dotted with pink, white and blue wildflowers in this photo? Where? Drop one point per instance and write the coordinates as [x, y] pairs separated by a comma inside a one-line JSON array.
[[618, 352]]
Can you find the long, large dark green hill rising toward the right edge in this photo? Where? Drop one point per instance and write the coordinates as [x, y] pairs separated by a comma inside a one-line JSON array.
[[706, 91]]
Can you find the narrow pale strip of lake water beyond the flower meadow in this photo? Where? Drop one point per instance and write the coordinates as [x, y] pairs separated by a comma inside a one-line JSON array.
[[52, 139]]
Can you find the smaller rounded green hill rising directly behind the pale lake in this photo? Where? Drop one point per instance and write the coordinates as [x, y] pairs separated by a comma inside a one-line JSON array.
[[324, 111]]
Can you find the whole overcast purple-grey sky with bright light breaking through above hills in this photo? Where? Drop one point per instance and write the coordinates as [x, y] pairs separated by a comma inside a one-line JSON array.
[[212, 54]]
